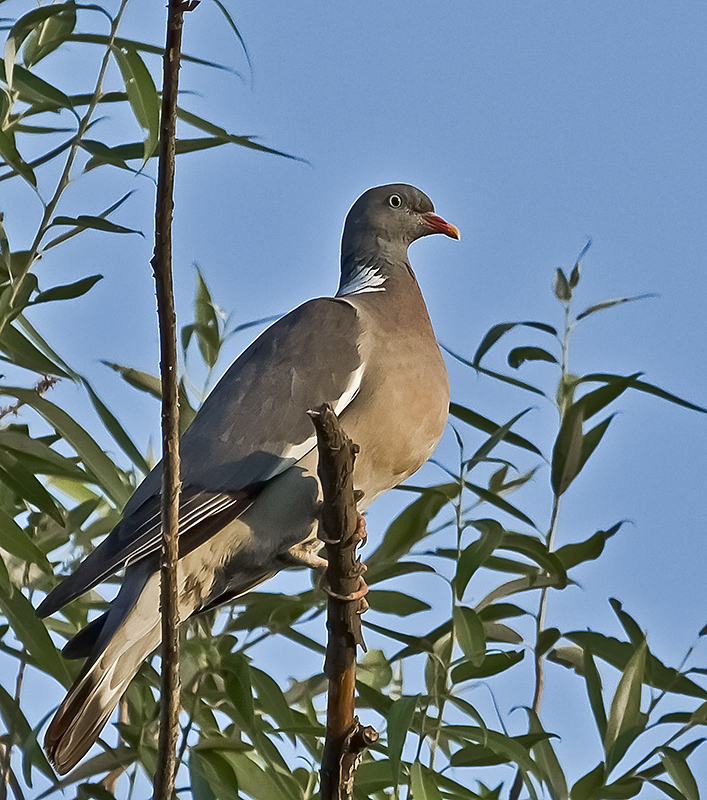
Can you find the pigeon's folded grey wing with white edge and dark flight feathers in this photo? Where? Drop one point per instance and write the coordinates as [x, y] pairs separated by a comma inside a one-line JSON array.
[[252, 427]]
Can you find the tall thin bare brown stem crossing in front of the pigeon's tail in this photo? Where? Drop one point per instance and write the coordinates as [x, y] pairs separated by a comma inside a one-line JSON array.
[[162, 268]]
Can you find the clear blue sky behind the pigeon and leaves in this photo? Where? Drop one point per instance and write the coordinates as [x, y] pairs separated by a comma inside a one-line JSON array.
[[532, 126]]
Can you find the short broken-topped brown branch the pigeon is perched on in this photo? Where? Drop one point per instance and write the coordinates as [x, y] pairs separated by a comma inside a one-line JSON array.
[[341, 530]]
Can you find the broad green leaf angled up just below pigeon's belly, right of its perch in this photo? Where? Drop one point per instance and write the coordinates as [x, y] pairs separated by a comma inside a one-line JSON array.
[[411, 525]]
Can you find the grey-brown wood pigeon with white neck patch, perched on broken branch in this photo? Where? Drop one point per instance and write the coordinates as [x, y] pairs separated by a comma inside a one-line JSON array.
[[250, 494]]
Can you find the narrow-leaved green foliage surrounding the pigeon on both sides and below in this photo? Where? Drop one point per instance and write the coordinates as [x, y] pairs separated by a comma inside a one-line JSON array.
[[464, 547]]
